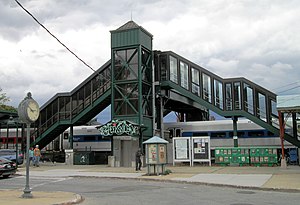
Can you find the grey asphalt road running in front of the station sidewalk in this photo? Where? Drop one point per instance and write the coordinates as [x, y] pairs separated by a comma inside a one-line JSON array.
[[97, 191]]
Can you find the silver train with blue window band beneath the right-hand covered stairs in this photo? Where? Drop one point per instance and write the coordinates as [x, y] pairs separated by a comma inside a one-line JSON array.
[[221, 133]]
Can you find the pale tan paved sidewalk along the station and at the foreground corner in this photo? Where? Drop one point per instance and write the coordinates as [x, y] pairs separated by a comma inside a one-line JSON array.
[[266, 178]]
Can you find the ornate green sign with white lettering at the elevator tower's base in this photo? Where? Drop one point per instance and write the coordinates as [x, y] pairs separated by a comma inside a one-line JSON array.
[[119, 127]]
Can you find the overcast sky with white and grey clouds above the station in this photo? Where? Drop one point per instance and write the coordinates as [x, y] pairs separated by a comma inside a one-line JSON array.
[[258, 40]]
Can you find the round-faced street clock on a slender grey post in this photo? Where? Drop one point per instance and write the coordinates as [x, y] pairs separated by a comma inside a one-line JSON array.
[[28, 112]]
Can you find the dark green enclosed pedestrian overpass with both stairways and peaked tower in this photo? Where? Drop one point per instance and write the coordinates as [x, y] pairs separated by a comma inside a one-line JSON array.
[[177, 85]]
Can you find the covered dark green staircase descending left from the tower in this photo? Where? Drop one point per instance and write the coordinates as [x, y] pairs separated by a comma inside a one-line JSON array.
[[74, 108]]
